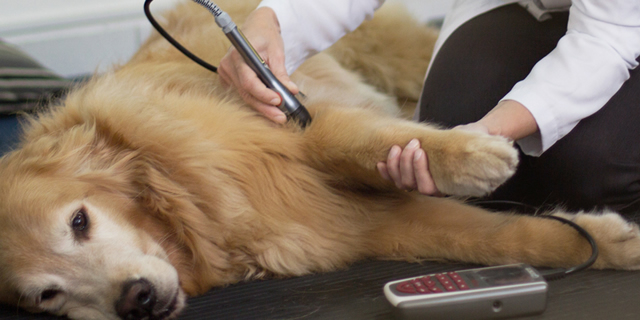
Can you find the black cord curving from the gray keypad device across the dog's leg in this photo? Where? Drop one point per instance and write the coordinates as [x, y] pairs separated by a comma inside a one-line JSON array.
[[555, 274]]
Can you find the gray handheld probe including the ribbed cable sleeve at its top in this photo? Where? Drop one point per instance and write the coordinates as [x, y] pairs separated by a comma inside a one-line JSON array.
[[289, 105]]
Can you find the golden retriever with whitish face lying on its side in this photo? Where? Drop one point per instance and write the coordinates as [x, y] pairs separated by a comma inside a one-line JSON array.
[[153, 182]]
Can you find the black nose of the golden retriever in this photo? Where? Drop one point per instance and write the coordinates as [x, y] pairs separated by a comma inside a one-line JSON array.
[[137, 300]]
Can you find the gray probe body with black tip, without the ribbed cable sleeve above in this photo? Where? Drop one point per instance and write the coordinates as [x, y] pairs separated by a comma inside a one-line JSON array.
[[289, 105]]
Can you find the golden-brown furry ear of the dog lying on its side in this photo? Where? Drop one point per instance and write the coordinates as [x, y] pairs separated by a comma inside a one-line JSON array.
[[191, 235]]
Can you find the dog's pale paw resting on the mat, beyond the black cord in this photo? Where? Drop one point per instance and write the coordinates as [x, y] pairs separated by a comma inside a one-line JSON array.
[[618, 240]]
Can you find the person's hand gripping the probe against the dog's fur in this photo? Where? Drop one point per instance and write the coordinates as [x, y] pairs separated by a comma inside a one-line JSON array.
[[263, 31]]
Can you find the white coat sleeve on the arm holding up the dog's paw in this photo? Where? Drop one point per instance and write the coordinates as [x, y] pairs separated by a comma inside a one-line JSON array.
[[588, 66]]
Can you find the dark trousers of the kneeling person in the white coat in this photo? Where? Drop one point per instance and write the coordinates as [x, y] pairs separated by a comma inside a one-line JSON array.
[[596, 165]]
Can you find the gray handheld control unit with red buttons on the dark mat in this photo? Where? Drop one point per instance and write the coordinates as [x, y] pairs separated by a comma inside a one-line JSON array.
[[484, 293]]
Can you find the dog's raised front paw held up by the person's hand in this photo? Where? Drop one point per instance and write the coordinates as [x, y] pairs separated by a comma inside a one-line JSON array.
[[472, 164]]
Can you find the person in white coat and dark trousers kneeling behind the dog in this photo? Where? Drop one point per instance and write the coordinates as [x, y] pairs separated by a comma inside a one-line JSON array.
[[557, 76]]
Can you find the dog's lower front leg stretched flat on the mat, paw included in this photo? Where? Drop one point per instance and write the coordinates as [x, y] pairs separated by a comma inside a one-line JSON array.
[[436, 228]]
